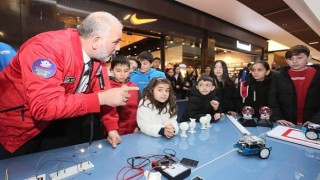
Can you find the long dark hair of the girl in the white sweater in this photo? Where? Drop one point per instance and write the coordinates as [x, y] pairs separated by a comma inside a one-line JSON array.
[[171, 102]]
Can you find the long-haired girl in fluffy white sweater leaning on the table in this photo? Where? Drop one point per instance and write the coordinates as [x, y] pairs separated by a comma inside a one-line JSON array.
[[157, 110]]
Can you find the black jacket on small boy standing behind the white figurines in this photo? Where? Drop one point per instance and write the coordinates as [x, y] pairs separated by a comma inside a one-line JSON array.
[[199, 105]]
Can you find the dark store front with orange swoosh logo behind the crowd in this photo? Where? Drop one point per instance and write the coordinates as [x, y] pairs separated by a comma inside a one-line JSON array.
[[178, 34]]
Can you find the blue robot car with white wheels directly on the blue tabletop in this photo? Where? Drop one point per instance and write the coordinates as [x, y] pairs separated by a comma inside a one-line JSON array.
[[252, 145]]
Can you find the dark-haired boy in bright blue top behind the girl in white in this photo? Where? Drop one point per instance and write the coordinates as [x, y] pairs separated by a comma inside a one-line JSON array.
[[145, 74]]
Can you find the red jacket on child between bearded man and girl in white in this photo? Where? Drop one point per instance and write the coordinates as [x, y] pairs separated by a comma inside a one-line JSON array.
[[127, 114]]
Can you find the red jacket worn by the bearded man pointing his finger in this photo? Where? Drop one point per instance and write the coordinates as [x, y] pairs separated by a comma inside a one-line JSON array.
[[28, 102]]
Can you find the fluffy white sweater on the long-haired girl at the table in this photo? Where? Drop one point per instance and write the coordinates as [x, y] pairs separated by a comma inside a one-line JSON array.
[[150, 122]]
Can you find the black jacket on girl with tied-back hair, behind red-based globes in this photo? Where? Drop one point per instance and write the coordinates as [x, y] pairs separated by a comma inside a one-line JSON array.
[[260, 89]]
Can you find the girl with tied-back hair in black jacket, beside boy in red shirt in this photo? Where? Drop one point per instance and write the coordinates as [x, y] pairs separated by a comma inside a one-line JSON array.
[[254, 91]]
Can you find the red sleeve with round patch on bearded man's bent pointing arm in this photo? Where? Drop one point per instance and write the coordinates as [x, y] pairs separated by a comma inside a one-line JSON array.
[[46, 97]]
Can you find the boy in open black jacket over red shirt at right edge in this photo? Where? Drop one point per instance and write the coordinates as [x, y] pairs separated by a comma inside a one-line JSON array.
[[294, 93]]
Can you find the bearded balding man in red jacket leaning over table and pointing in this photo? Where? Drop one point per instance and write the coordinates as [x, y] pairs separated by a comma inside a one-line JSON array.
[[54, 81]]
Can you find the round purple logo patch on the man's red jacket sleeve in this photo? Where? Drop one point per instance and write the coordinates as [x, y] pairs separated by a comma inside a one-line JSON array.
[[44, 68]]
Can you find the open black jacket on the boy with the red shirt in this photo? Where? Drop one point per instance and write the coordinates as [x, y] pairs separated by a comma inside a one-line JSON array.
[[283, 101]]
